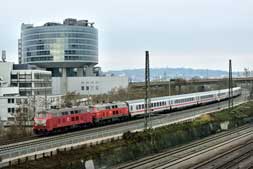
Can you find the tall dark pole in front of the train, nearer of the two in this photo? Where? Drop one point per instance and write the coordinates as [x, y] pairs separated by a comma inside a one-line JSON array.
[[147, 84]]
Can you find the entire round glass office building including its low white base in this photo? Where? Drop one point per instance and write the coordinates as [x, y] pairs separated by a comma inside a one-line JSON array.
[[69, 50]]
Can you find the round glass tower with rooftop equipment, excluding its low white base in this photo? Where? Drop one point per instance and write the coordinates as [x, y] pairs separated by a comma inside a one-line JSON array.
[[68, 49]]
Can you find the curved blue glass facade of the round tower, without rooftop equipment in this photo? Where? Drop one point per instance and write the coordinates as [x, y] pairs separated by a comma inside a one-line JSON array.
[[60, 44]]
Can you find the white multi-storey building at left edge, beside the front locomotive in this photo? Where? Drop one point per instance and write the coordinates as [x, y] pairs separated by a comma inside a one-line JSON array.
[[23, 88]]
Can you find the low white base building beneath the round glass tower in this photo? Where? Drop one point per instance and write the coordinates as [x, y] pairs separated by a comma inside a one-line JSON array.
[[88, 85]]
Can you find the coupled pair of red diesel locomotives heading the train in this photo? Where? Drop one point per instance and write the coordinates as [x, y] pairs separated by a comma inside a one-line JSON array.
[[60, 120]]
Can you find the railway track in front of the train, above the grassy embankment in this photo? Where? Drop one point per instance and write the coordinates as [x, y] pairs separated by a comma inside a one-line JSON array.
[[38, 144]]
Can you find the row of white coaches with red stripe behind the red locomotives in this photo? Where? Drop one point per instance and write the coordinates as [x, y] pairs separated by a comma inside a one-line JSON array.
[[159, 104]]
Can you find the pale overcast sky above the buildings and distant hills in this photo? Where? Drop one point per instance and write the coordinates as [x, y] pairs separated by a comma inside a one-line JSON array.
[[178, 33]]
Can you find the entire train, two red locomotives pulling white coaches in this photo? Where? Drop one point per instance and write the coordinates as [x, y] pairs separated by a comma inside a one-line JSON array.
[[60, 120]]
